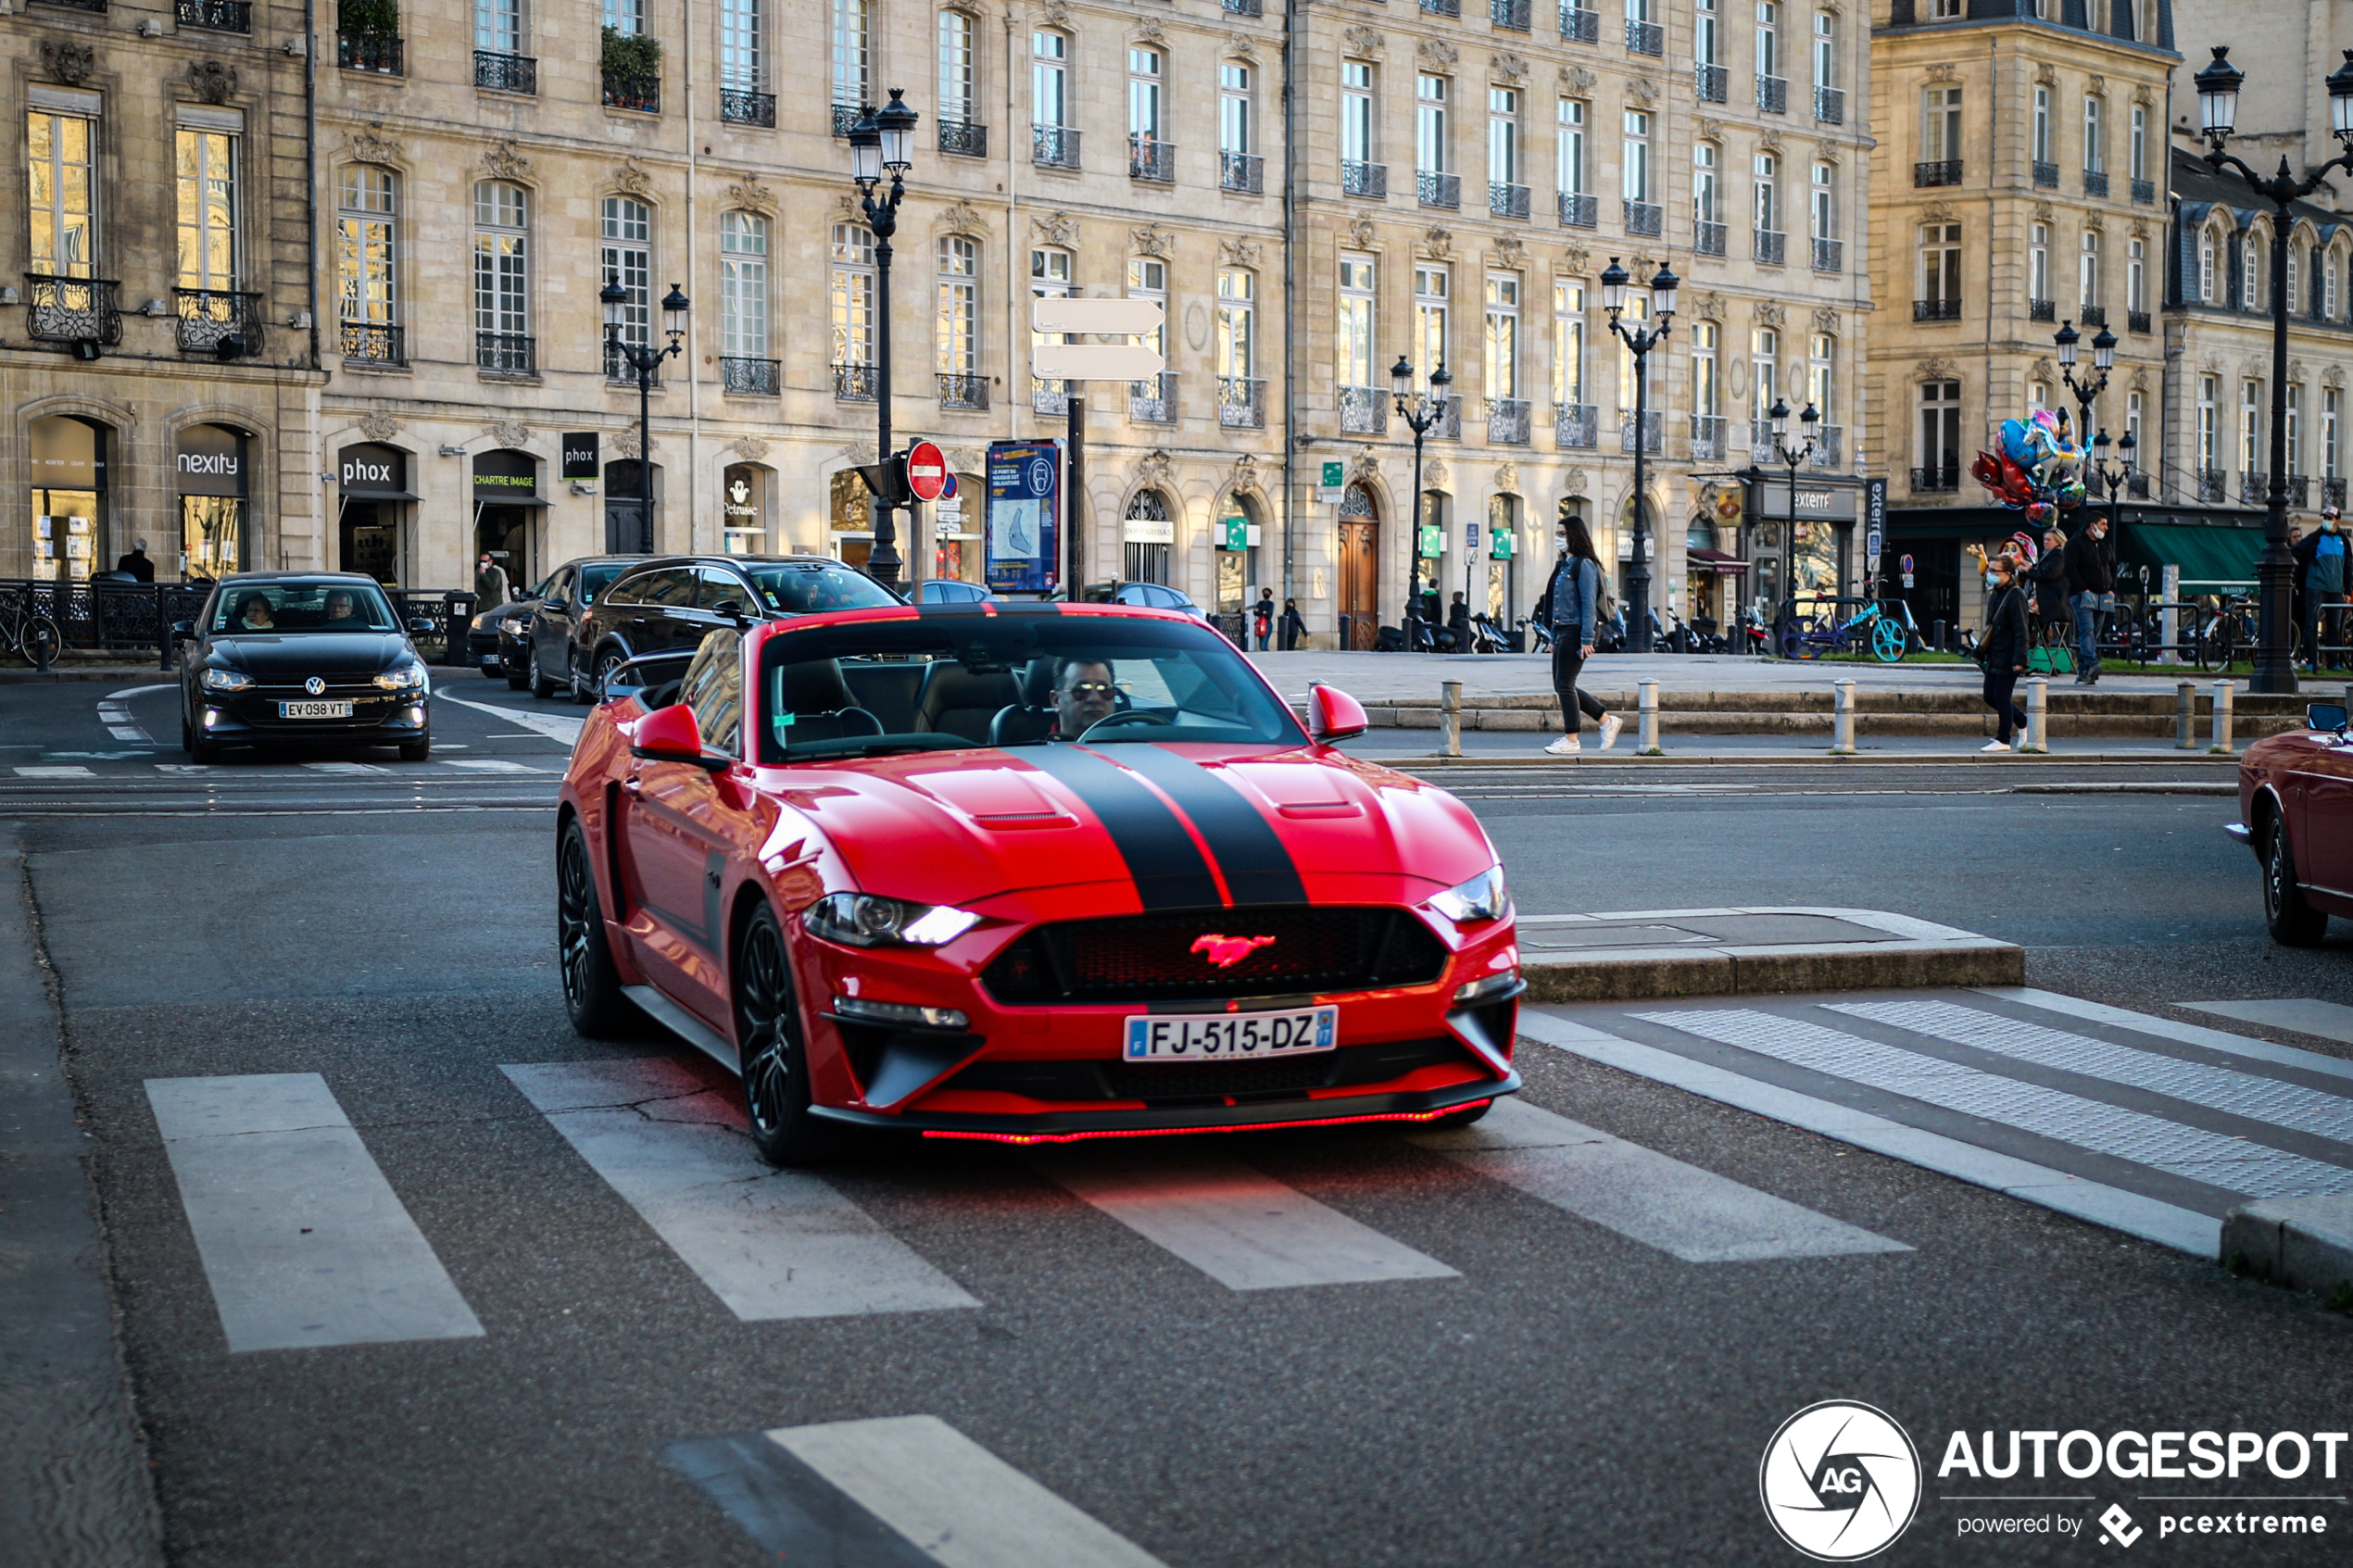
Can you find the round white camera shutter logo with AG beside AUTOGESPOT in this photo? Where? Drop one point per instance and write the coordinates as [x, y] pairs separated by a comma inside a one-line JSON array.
[[1841, 1482]]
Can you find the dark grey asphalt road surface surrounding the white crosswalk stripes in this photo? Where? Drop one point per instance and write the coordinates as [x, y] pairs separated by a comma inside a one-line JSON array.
[[1559, 1395]]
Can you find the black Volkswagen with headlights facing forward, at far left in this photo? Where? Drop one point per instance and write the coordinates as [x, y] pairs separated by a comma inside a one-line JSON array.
[[291, 657]]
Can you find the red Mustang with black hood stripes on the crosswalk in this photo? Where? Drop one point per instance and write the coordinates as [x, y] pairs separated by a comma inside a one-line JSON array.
[[1027, 873]]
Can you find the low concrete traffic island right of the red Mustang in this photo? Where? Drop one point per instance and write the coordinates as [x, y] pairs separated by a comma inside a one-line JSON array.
[[1759, 951]]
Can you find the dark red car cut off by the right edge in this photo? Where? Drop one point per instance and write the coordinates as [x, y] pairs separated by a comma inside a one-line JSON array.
[[2295, 803]]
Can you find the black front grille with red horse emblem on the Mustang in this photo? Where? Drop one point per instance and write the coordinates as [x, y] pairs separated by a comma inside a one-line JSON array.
[[1149, 958]]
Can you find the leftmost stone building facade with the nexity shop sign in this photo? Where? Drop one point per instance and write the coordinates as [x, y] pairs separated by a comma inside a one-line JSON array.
[[156, 323]]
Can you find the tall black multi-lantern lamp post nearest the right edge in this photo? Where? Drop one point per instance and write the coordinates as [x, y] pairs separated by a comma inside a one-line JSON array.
[[2218, 119]]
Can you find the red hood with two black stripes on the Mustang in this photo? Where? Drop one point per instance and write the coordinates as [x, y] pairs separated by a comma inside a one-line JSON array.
[[1161, 826]]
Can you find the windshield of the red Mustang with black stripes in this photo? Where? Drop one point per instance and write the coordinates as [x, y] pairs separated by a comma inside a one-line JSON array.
[[1008, 681]]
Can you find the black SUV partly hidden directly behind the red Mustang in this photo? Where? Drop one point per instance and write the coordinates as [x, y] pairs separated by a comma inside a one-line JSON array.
[[674, 603]]
